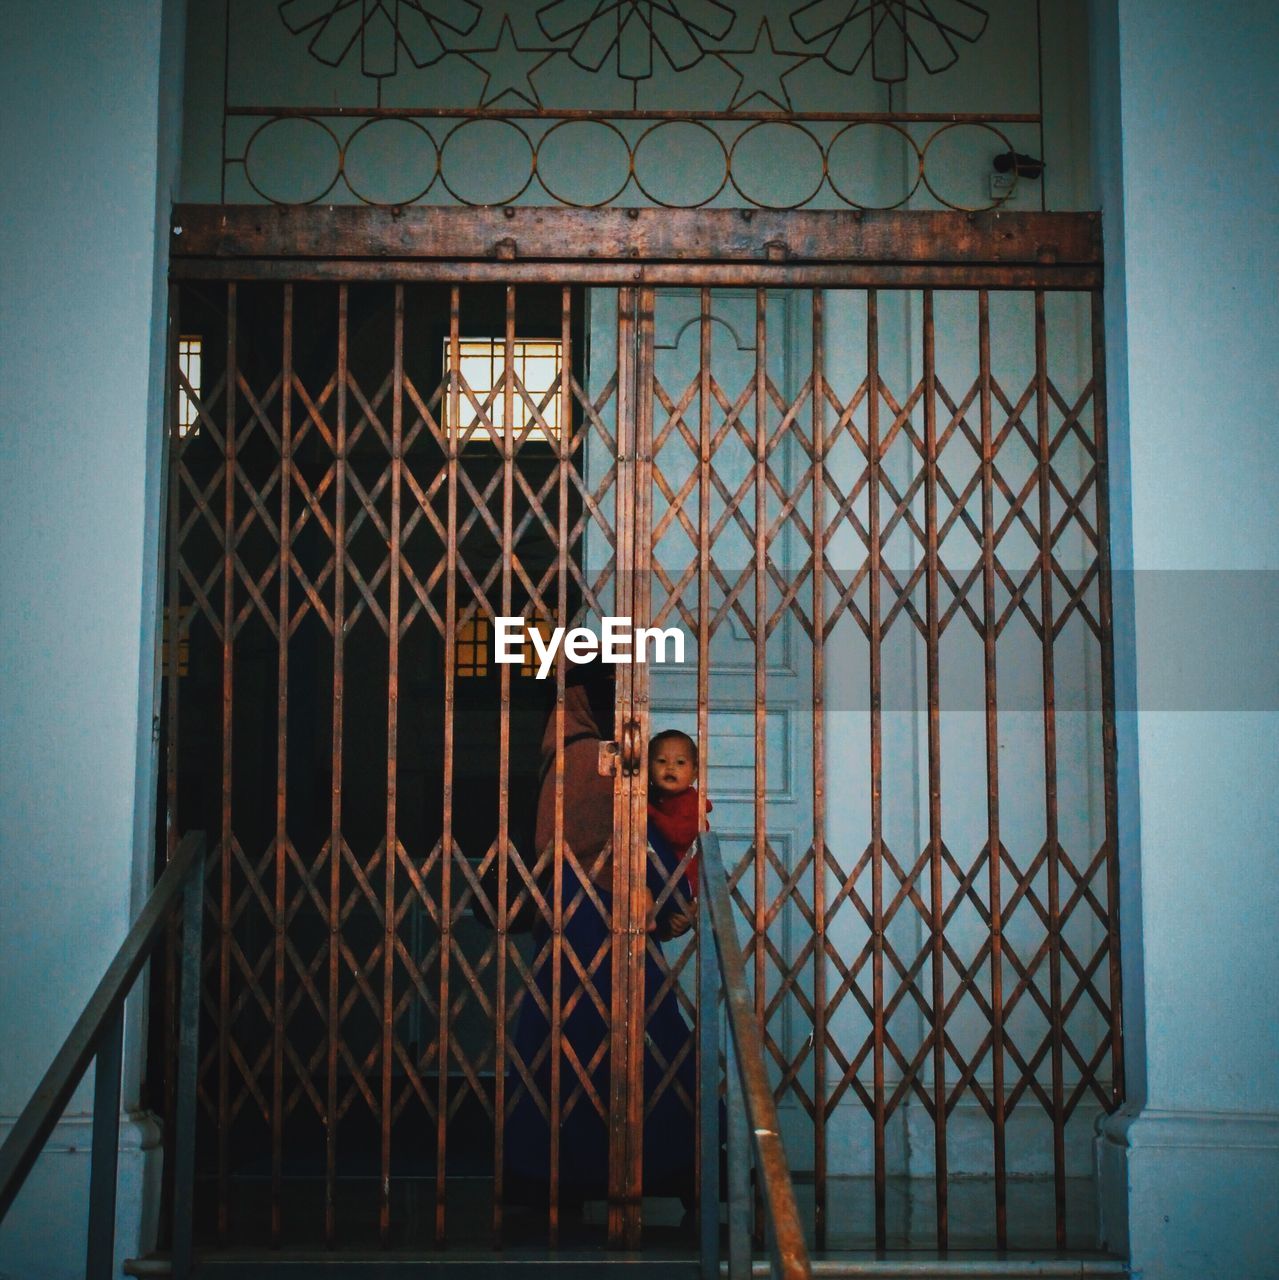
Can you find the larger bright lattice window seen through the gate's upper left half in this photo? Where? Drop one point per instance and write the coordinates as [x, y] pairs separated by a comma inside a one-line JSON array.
[[536, 364]]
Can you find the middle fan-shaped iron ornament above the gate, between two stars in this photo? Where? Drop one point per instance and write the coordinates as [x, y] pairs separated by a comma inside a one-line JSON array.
[[633, 29]]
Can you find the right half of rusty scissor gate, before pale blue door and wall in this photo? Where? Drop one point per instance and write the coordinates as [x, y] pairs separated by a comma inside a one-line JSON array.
[[773, 508]]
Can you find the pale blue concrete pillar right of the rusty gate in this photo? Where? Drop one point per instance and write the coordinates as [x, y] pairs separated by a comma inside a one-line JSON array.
[[1186, 107]]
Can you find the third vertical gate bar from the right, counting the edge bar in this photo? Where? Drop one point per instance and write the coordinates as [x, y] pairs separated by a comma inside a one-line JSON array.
[[994, 842]]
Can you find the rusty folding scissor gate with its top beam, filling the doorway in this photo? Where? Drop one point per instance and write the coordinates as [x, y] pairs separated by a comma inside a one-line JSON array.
[[862, 464]]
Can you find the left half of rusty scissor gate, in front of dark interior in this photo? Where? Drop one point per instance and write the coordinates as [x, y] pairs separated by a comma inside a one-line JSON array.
[[346, 520]]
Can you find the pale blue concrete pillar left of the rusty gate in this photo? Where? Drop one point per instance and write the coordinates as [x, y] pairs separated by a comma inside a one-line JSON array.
[[90, 102]]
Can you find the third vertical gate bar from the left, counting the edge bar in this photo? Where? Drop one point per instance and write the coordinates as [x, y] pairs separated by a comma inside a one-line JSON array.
[[282, 769]]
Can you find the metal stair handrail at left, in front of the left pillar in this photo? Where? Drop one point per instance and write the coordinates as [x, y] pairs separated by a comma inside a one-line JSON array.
[[99, 1032]]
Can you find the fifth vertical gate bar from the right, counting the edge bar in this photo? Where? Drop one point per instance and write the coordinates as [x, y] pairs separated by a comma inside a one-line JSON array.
[[878, 1030]]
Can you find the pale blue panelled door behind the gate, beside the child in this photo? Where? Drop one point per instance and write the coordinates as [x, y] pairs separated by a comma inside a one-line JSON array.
[[748, 355]]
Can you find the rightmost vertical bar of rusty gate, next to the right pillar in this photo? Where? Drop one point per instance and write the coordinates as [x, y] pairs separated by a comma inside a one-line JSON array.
[[1106, 610]]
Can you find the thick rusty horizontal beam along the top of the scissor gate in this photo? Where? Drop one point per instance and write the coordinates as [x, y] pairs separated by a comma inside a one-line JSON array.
[[710, 246]]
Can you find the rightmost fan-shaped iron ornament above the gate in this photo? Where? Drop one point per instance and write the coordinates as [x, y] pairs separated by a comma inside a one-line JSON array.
[[890, 31]]
